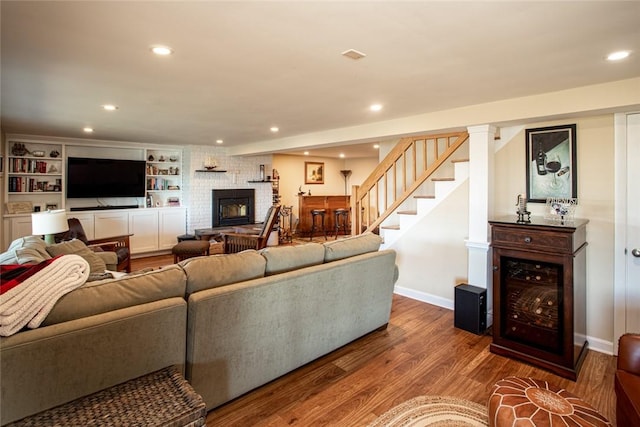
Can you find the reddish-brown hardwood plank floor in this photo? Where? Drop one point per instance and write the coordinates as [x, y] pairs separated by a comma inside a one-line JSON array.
[[419, 353]]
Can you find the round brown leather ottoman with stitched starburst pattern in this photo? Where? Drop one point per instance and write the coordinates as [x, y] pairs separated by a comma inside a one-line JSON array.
[[526, 402]]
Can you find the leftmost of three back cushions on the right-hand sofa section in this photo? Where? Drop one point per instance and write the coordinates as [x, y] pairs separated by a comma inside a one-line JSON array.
[[219, 270]]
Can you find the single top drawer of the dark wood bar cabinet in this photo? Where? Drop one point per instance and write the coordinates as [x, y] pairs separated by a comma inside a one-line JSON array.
[[536, 240]]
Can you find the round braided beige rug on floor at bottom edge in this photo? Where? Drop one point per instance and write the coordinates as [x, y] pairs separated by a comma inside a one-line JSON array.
[[434, 411]]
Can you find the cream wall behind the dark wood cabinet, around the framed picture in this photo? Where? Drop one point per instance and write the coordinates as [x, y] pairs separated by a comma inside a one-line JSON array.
[[595, 174]]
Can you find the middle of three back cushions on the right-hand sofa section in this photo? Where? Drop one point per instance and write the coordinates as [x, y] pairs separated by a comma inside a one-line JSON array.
[[281, 259]]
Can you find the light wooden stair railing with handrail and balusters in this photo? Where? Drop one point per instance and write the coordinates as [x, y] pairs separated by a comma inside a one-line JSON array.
[[387, 169]]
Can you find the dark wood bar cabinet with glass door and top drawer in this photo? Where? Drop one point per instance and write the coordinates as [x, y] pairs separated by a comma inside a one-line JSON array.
[[539, 293]]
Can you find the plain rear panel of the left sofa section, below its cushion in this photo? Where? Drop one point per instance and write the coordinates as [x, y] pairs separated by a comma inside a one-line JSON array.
[[52, 365]]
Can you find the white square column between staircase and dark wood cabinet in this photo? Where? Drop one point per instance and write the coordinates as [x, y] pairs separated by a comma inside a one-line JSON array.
[[481, 156]]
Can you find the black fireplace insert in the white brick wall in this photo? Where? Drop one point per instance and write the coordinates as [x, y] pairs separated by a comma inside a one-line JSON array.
[[233, 207]]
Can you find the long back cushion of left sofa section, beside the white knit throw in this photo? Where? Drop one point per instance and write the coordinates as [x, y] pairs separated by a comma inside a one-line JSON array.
[[113, 294]]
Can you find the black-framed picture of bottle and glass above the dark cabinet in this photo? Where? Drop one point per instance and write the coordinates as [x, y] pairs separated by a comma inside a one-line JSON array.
[[551, 163]]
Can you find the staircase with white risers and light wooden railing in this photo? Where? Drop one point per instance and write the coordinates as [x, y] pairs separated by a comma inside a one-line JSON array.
[[411, 180]]
